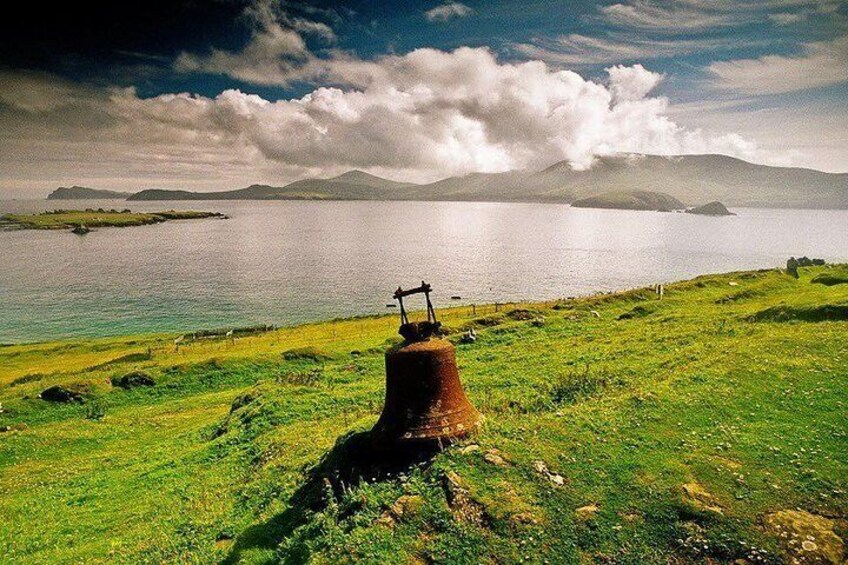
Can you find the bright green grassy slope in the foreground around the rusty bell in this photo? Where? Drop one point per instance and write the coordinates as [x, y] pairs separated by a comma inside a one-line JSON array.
[[687, 389]]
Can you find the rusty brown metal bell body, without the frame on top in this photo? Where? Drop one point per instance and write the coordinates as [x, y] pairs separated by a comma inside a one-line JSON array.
[[425, 401]]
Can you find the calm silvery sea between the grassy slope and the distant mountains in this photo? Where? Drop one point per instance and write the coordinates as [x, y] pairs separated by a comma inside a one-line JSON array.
[[290, 262]]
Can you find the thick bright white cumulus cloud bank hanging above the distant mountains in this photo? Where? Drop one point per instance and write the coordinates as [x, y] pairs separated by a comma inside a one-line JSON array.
[[418, 116]]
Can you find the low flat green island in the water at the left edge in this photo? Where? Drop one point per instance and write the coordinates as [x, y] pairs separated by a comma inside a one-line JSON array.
[[81, 221]]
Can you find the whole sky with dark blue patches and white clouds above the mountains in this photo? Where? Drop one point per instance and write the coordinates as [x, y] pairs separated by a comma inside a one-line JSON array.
[[763, 80]]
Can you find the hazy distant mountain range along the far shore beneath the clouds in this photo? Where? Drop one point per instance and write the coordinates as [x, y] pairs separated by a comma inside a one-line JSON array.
[[692, 179]]
